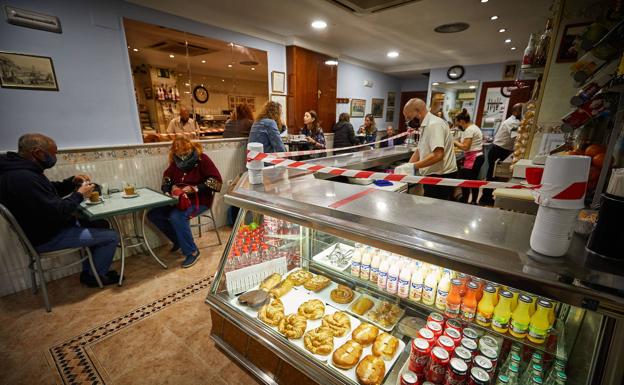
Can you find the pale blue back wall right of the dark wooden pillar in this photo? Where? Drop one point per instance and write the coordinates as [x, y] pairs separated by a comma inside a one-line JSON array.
[[351, 85]]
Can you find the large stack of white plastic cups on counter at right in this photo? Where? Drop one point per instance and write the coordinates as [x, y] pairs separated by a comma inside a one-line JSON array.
[[560, 198]]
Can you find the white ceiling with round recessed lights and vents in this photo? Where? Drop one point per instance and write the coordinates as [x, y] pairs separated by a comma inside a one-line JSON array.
[[366, 39]]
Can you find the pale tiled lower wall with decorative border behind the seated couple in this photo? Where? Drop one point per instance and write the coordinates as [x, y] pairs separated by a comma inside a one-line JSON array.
[[142, 165]]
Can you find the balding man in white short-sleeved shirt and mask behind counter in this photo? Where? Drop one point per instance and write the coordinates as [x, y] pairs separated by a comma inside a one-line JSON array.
[[434, 155]]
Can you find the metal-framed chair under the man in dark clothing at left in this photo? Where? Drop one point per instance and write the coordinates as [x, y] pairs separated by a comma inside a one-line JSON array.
[[35, 265]]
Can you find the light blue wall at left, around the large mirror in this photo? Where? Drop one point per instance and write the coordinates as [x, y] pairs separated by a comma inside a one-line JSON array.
[[95, 103]]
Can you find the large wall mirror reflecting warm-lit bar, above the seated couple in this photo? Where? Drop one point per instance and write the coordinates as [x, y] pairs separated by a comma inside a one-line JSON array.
[[174, 70]]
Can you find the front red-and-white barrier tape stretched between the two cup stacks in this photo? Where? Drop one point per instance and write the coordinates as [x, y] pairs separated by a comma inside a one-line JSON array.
[[273, 159]]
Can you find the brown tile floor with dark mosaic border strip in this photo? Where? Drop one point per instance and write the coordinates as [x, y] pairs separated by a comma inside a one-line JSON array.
[[154, 329]]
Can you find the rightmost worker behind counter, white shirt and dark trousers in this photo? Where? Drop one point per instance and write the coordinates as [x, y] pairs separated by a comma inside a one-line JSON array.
[[502, 146]]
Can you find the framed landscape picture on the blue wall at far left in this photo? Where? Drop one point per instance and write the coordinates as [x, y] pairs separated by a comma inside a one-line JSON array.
[[24, 71]]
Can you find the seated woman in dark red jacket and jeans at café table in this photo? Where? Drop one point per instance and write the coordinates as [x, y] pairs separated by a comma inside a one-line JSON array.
[[190, 172]]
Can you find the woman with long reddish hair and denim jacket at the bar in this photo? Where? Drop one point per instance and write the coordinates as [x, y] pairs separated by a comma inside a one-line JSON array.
[[265, 128]]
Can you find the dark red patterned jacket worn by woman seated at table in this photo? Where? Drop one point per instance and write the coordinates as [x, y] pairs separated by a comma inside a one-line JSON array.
[[197, 177]]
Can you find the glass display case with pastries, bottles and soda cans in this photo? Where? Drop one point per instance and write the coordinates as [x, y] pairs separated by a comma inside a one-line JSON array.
[[345, 293]]
